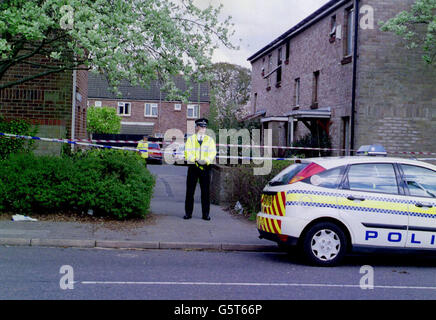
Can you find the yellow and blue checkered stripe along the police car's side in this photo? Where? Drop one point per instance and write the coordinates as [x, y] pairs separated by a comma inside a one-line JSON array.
[[372, 204]]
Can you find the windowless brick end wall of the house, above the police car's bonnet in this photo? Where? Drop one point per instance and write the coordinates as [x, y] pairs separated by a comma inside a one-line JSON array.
[[396, 101]]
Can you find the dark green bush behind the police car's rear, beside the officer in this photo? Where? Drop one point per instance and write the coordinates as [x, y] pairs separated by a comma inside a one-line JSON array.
[[247, 187]]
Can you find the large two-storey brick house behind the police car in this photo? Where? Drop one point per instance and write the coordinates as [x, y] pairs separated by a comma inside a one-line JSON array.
[[309, 79]]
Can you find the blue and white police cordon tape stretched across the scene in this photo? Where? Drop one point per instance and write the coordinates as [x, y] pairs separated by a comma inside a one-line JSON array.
[[87, 142]]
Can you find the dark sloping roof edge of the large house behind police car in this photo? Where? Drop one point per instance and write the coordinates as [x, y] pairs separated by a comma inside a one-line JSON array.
[[307, 22]]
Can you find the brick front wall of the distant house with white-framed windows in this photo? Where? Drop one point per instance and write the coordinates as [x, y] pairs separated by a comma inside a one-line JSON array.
[[168, 118]]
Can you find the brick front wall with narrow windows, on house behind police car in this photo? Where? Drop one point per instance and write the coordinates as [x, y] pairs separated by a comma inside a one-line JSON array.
[[310, 51]]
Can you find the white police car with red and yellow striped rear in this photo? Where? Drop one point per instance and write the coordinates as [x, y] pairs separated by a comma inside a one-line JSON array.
[[329, 206]]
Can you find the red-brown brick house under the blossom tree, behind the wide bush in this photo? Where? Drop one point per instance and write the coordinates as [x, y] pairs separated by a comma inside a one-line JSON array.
[[47, 102]]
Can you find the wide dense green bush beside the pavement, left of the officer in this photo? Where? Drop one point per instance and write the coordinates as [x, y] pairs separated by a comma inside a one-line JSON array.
[[111, 183]]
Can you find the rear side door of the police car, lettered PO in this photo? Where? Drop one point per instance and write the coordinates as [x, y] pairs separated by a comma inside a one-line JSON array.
[[371, 203]]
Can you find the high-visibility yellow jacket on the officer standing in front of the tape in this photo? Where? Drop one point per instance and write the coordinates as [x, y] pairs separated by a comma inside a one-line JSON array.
[[194, 151]]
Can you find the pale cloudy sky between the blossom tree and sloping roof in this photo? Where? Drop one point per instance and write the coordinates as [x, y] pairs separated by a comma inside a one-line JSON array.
[[258, 22]]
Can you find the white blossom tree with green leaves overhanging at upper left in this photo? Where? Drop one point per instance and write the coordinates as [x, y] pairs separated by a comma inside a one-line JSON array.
[[136, 40]]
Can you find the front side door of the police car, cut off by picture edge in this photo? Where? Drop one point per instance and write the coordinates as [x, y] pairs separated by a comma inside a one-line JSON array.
[[421, 196]]
